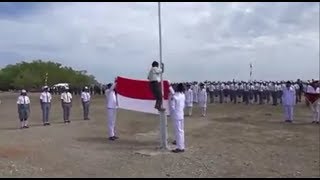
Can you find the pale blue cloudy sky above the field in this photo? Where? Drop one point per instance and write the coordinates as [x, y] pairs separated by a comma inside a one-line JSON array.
[[201, 41]]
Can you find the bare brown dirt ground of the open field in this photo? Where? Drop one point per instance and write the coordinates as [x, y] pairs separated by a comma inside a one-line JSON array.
[[232, 141]]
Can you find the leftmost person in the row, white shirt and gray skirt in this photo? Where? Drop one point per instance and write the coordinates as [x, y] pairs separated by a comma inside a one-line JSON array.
[[23, 103]]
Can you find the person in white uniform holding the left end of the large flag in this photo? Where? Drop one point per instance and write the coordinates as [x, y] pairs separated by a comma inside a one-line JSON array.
[[112, 105]]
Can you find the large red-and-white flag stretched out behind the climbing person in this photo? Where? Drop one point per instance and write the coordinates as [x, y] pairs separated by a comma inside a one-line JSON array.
[[136, 95]]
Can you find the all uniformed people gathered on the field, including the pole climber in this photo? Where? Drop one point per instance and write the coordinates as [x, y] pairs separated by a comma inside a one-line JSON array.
[[182, 98]]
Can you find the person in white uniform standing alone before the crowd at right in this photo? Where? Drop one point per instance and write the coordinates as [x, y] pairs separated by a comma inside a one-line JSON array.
[[288, 101]]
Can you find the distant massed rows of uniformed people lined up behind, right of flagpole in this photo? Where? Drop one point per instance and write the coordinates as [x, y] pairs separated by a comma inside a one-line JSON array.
[[255, 92]]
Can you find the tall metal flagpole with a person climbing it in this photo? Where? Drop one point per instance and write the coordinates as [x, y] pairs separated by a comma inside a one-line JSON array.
[[163, 116]]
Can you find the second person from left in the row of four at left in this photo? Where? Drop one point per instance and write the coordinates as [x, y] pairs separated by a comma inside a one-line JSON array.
[[45, 101]]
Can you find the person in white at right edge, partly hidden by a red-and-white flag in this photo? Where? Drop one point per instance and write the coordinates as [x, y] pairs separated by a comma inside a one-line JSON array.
[[316, 105]]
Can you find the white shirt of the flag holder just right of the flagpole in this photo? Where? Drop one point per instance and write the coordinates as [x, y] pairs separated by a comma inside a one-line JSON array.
[[178, 105]]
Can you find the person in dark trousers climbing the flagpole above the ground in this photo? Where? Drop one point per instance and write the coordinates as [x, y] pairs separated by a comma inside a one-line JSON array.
[[155, 85]]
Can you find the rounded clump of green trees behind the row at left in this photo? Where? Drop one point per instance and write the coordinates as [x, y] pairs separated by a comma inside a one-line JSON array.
[[32, 76]]
